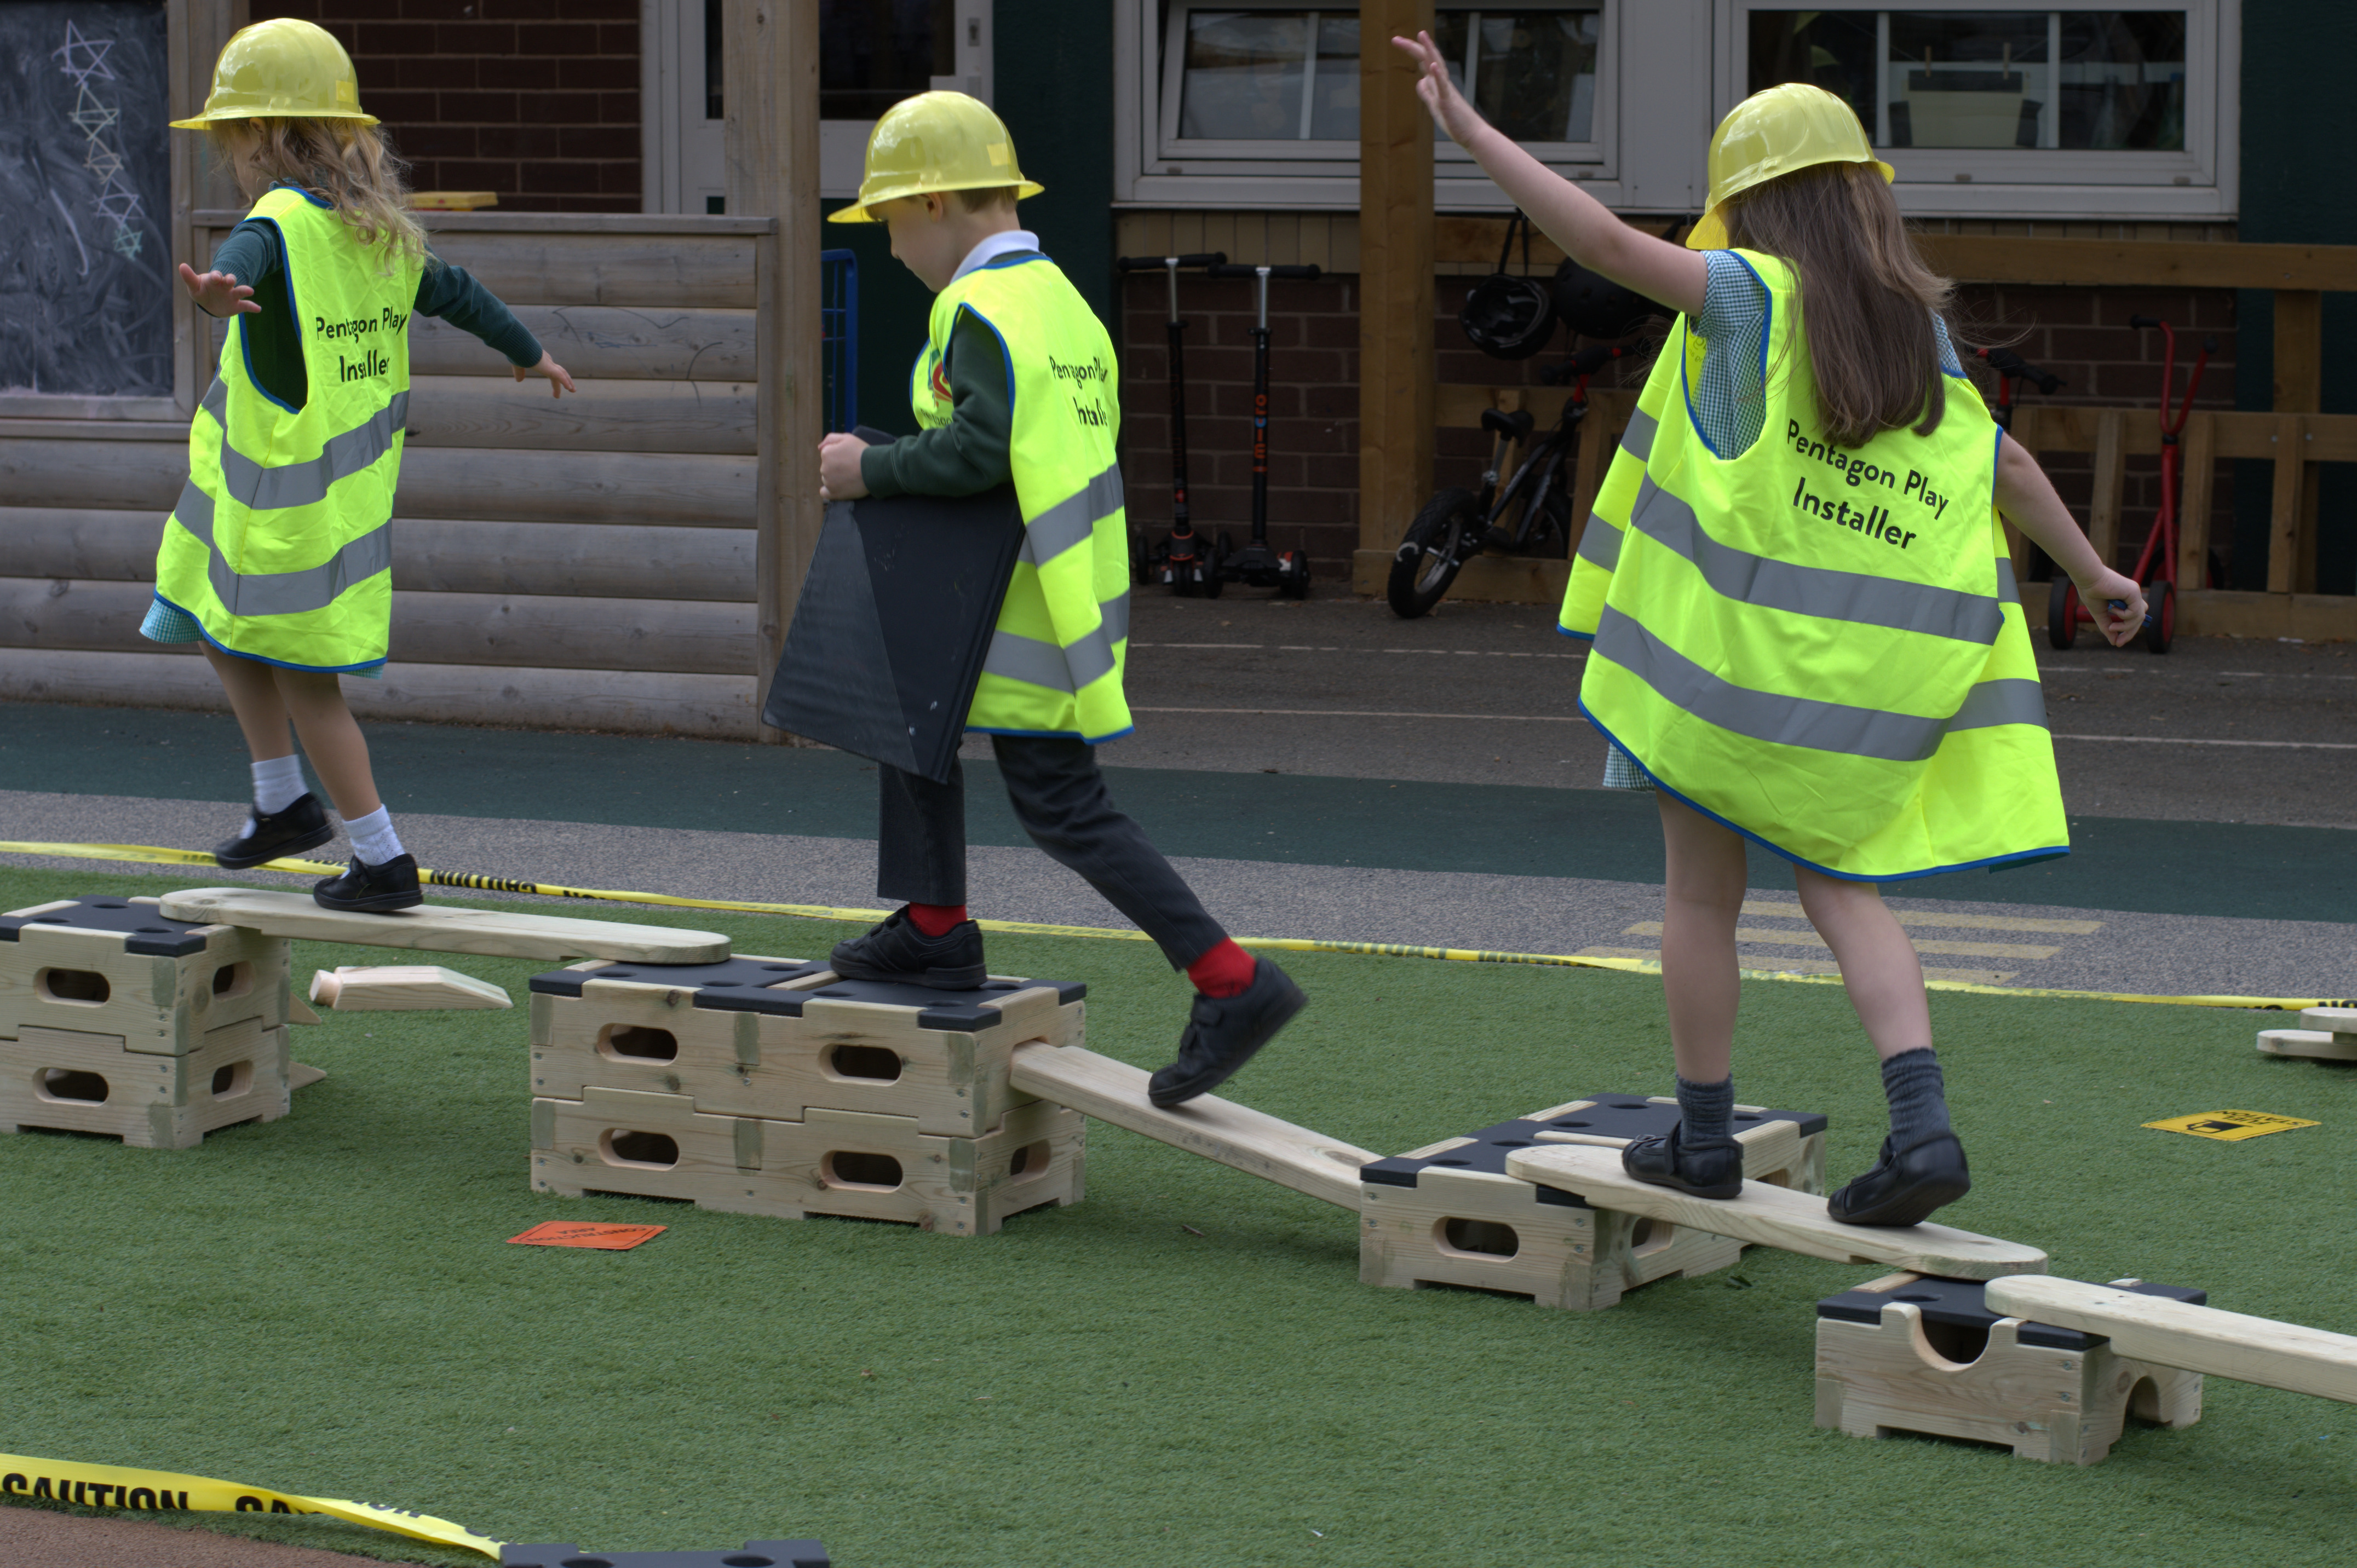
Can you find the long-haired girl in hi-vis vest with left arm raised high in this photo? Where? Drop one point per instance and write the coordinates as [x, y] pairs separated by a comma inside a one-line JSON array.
[[1804, 621]]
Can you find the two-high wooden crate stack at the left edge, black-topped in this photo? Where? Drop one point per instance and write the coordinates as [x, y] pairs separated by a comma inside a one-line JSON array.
[[121, 1022]]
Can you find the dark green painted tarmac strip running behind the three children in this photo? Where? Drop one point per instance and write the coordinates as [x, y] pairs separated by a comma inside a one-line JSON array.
[[633, 782]]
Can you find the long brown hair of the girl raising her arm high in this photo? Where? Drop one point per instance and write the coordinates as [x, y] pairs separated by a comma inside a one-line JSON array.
[[1866, 294]]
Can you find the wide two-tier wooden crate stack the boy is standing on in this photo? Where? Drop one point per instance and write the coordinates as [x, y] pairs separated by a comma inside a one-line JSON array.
[[767, 1086]]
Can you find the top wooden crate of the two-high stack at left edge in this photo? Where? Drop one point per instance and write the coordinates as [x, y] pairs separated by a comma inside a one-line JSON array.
[[119, 968]]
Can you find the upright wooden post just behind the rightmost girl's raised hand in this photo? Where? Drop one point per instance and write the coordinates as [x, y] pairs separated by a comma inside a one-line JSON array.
[[1397, 376]]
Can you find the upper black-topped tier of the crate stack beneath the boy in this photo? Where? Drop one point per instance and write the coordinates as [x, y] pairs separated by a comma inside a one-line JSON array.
[[781, 1039]]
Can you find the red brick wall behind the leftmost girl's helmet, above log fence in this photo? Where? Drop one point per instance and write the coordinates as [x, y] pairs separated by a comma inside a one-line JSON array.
[[536, 100]]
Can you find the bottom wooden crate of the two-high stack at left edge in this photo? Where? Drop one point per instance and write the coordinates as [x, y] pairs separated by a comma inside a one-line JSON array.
[[93, 1083]]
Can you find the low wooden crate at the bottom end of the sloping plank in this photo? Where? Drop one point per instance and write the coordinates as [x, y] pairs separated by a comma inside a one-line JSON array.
[[1451, 1215]]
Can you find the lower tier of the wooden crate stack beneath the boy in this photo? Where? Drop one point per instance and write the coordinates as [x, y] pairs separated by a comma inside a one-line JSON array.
[[847, 1164]]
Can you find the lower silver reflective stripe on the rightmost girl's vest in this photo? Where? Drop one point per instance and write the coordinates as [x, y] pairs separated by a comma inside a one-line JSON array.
[[1781, 720]]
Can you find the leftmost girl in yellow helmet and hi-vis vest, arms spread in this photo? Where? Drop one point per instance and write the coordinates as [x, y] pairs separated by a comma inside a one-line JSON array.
[[279, 551]]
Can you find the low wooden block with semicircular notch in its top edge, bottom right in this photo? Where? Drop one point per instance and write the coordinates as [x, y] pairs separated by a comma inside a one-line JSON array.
[[1927, 1355]]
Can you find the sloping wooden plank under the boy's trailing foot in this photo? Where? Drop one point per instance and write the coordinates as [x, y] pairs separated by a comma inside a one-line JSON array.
[[1208, 1126]]
